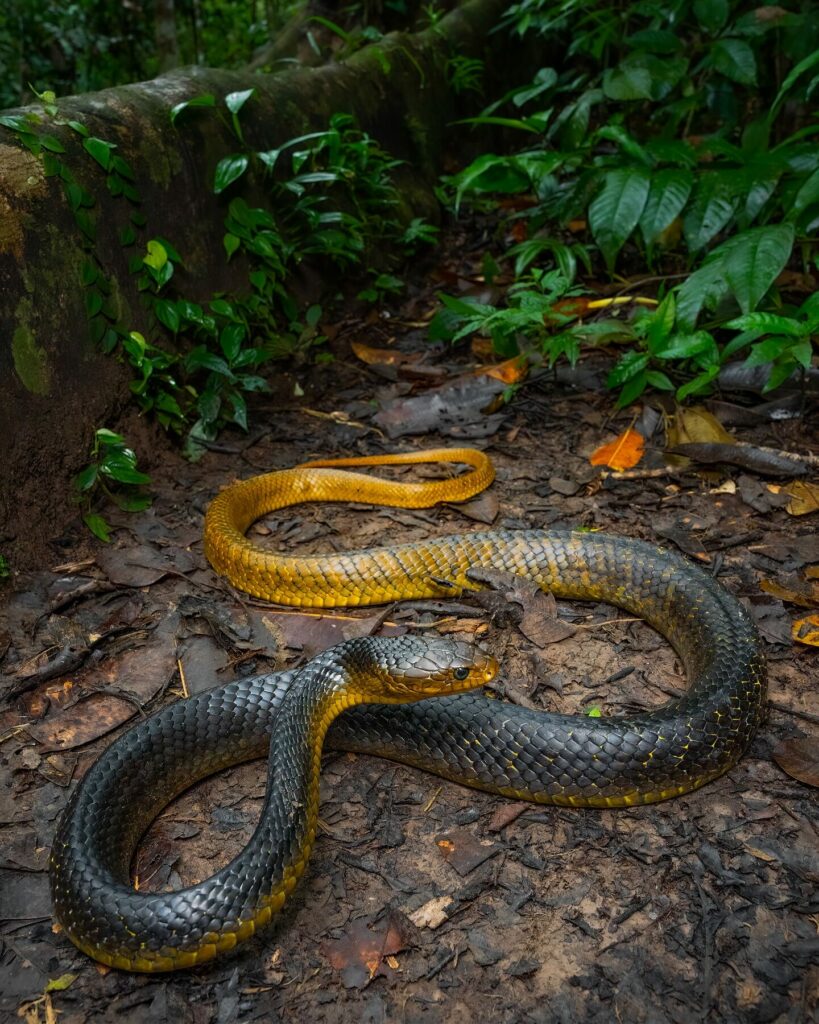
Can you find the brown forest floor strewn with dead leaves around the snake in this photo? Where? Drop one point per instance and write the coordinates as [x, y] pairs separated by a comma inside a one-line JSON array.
[[426, 902]]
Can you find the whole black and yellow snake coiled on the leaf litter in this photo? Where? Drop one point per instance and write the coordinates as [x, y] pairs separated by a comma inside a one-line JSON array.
[[414, 700]]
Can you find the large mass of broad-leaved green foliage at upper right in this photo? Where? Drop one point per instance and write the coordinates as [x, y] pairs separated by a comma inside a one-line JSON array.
[[681, 138]]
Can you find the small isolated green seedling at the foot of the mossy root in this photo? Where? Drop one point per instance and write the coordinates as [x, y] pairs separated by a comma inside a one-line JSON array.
[[111, 475]]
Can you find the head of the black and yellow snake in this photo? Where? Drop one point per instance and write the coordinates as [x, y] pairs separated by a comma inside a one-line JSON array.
[[406, 669]]
